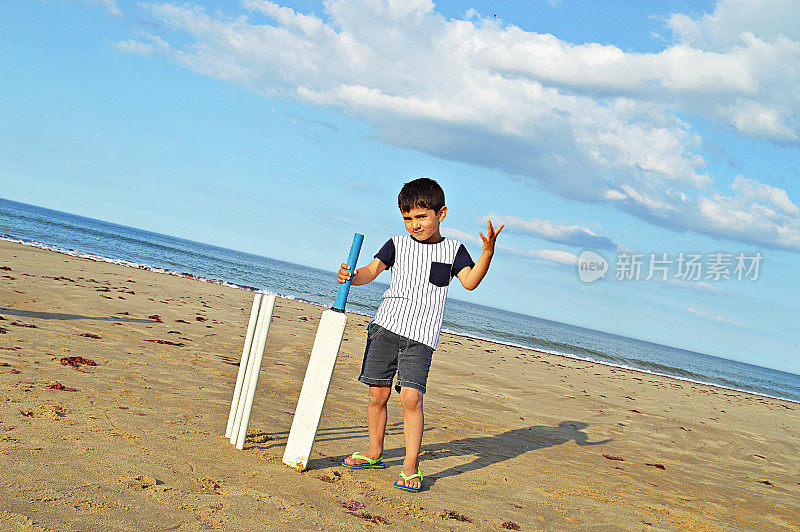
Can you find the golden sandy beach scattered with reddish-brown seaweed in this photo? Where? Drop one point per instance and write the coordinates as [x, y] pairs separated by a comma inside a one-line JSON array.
[[513, 438]]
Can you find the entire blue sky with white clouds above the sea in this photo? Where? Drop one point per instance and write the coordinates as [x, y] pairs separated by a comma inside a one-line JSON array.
[[280, 128]]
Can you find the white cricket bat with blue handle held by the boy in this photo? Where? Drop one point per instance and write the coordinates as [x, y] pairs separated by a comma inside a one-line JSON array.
[[318, 374]]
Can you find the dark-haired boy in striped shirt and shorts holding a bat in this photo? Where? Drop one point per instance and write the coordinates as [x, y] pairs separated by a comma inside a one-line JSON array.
[[405, 331]]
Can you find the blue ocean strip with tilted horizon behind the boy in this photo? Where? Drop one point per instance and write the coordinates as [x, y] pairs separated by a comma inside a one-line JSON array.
[[80, 236]]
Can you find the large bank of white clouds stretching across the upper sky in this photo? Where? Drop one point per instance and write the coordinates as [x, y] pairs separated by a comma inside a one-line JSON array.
[[589, 122]]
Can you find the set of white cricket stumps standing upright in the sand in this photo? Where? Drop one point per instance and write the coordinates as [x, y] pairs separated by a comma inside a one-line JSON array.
[[249, 368]]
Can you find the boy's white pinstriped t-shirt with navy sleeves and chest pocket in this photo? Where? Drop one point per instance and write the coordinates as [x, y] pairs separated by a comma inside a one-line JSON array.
[[413, 305]]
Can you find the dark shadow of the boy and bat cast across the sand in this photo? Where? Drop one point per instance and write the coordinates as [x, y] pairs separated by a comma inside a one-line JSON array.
[[488, 450]]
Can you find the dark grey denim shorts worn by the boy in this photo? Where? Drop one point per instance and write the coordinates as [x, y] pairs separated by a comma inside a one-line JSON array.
[[387, 353]]
